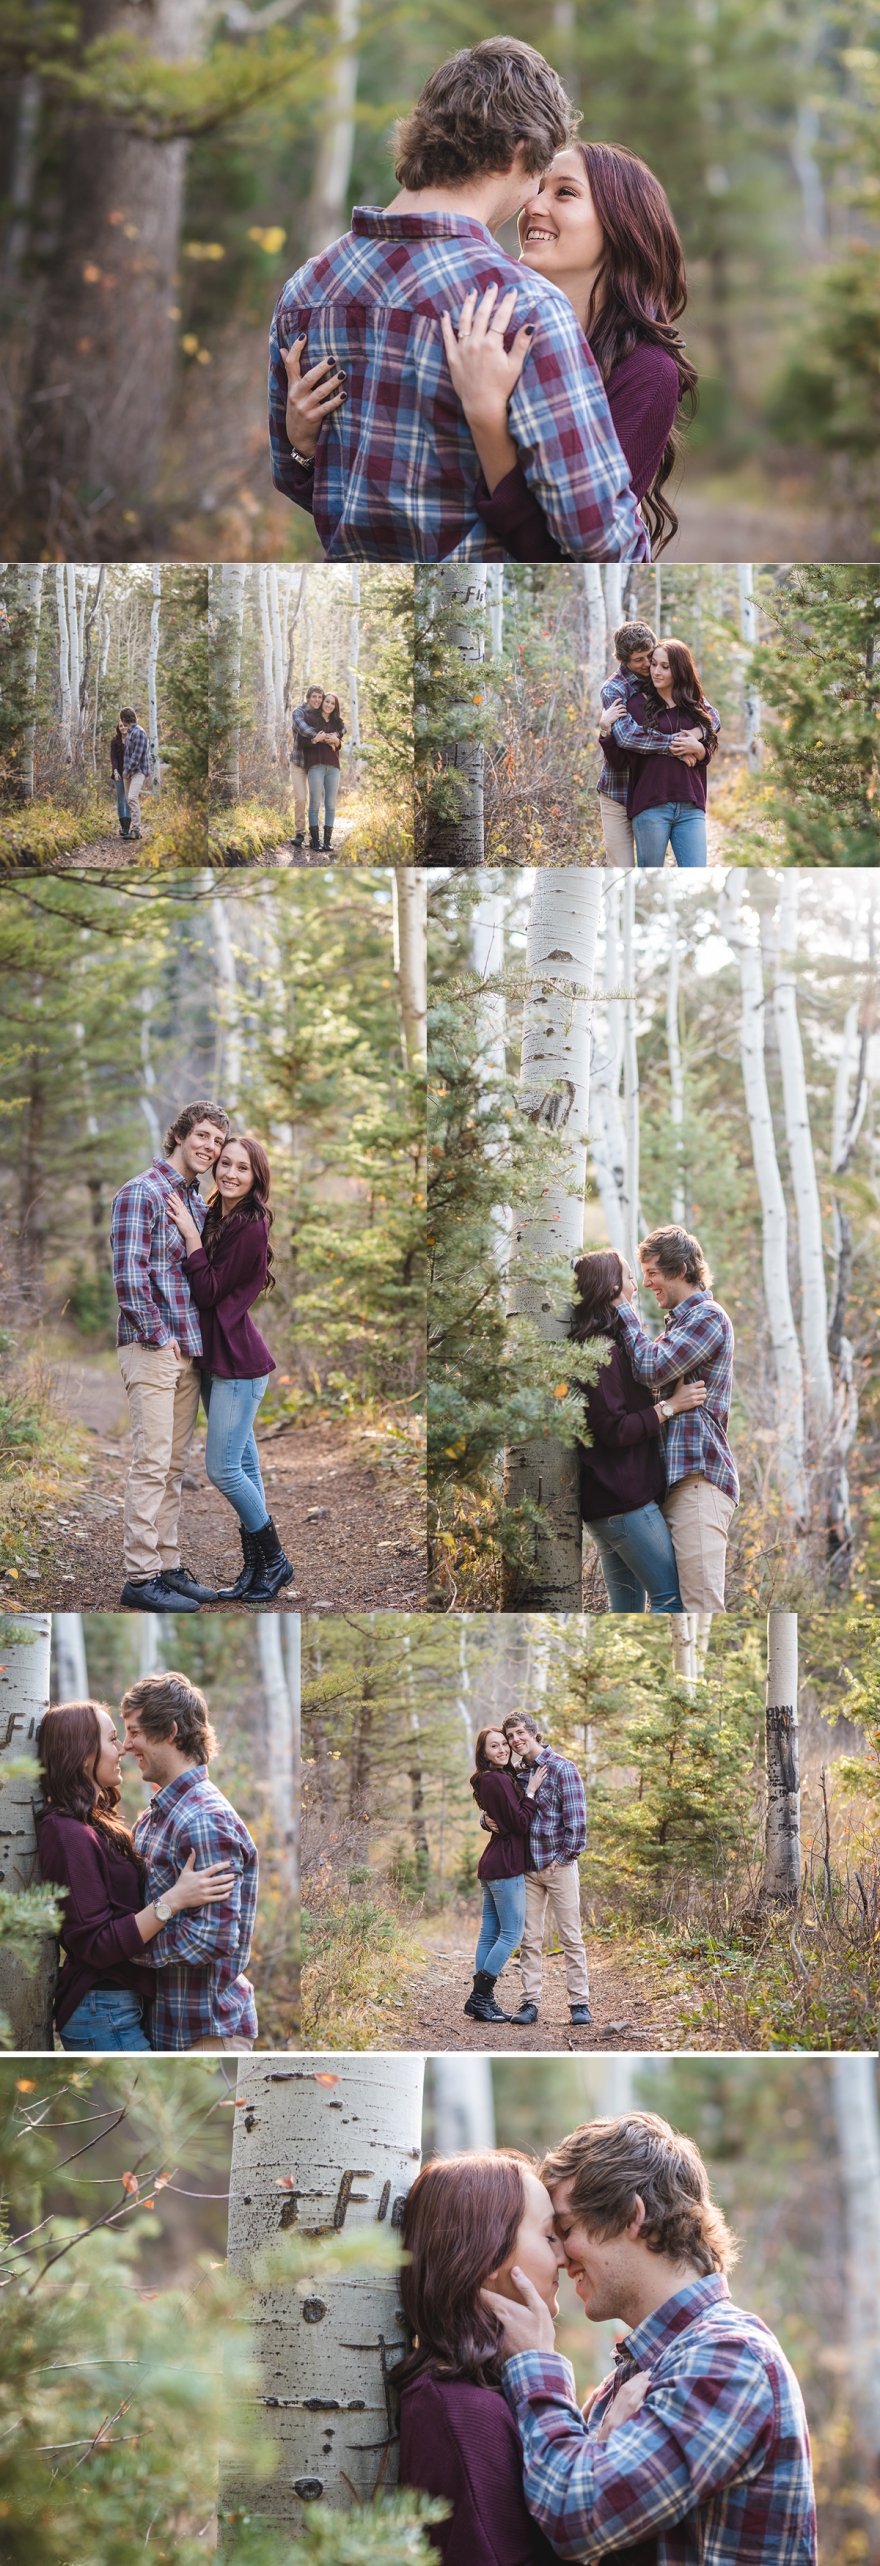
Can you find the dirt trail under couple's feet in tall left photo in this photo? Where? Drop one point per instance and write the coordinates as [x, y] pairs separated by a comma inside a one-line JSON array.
[[353, 1533]]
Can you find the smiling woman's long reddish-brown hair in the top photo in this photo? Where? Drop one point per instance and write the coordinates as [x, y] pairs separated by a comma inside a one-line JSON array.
[[643, 291]]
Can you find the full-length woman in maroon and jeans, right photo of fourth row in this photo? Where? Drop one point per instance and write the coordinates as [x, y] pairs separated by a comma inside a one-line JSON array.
[[502, 1867]]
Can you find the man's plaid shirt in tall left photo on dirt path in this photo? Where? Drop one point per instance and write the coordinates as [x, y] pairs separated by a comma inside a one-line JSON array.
[[153, 1292]]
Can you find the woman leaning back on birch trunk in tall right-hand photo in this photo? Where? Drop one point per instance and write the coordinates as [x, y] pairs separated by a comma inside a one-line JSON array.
[[622, 1472]]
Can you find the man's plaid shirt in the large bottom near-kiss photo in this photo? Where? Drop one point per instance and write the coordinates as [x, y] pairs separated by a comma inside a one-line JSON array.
[[712, 2472]]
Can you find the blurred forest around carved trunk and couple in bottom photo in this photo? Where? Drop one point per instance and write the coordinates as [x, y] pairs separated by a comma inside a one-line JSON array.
[[163, 2393]]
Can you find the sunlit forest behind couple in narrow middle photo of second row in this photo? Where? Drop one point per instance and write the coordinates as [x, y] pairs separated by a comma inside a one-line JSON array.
[[273, 635]]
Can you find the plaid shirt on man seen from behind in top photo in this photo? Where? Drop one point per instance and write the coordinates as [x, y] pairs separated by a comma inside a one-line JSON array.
[[396, 468]]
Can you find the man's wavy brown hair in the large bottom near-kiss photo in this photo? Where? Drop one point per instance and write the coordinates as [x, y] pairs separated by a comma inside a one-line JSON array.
[[614, 2162]]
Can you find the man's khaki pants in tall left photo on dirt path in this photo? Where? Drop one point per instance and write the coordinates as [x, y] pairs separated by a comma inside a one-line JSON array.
[[163, 1402]]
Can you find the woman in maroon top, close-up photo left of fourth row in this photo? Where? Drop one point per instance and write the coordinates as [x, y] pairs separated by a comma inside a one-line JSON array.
[[86, 1851]]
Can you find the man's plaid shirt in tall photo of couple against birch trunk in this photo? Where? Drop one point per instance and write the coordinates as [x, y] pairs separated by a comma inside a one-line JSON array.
[[697, 1346]]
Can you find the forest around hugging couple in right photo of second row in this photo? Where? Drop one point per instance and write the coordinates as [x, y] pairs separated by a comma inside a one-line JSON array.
[[509, 692]]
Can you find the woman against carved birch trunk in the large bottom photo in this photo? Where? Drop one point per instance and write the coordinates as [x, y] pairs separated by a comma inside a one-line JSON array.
[[466, 2223]]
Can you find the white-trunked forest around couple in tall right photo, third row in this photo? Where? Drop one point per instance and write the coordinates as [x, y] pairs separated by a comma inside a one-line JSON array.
[[727, 1064]]
